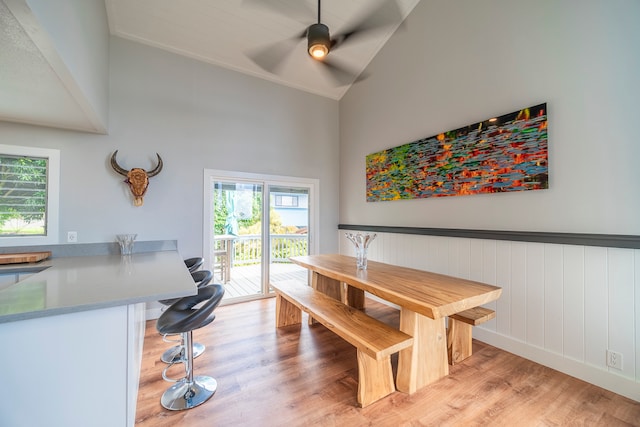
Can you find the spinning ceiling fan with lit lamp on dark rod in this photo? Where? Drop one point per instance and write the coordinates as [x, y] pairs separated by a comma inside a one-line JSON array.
[[319, 41]]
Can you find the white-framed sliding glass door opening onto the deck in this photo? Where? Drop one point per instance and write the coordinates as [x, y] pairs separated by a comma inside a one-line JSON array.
[[253, 225]]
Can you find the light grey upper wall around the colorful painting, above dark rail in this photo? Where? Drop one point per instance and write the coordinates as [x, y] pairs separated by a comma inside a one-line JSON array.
[[464, 61]]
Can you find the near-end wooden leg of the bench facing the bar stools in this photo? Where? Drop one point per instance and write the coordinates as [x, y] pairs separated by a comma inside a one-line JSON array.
[[375, 379]]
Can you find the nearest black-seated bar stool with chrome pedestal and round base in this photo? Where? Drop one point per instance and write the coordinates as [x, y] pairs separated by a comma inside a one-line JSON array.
[[183, 317]]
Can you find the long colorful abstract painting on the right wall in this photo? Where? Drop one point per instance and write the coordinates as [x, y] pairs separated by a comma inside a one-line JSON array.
[[506, 153]]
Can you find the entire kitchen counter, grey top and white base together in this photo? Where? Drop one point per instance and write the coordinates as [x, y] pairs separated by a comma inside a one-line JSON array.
[[72, 338]]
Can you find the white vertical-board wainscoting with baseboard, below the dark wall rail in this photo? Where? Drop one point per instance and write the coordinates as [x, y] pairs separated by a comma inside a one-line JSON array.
[[562, 305]]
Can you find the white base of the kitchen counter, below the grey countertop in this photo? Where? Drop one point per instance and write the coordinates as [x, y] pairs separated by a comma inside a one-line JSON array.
[[72, 369]]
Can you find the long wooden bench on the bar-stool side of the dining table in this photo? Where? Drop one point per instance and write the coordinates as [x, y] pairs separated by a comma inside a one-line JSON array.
[[375, 341]]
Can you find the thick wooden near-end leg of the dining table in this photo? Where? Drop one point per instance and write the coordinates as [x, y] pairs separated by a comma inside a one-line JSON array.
[[426, 361]]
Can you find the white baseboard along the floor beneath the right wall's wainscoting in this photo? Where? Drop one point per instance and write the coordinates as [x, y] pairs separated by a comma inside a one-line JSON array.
[[575, 368]]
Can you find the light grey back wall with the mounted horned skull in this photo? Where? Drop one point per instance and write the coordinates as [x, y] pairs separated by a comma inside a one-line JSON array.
[[195, 116]]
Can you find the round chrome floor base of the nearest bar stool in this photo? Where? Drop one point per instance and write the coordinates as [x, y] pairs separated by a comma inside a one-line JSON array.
[[185, 395]]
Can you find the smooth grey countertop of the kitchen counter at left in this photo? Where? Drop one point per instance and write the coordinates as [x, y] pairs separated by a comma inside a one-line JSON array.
[[79, 283]]
